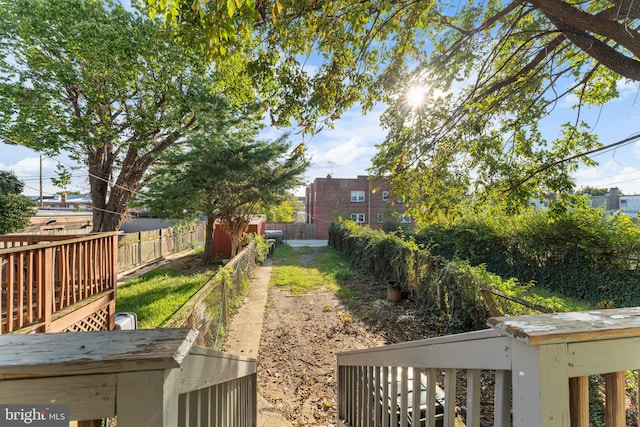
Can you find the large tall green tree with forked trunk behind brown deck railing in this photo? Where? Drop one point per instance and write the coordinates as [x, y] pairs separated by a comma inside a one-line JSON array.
[[106, 84]]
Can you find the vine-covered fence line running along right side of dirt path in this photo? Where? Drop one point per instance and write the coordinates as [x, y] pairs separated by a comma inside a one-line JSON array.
[[447, 289]]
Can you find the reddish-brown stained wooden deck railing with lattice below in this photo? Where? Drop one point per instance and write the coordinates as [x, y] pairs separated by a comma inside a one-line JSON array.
[[44, 279]]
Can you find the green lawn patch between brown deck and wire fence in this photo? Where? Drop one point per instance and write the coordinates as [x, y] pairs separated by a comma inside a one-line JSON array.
[[157, 295]]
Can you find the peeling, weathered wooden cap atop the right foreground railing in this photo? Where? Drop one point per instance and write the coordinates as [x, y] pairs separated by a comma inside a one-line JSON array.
[[593, 325]]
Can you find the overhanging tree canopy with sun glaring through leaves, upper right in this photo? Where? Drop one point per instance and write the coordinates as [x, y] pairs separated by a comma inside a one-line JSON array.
[[491, 71]]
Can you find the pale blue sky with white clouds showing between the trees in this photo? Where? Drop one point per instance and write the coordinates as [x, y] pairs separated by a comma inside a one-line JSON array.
[[346, 150]]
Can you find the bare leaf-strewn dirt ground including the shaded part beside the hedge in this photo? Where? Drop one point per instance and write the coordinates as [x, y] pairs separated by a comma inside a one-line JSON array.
[[302, 334]]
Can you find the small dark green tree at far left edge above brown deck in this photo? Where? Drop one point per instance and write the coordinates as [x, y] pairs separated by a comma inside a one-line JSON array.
[[15, 209]]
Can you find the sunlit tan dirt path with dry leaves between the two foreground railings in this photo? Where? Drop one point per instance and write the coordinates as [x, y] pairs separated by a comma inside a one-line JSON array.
[[300, 338]]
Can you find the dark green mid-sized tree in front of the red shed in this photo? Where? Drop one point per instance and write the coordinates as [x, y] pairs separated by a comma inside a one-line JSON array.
[[225, 173]]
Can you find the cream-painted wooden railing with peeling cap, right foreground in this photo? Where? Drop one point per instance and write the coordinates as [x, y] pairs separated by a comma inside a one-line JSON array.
[[539, 366]]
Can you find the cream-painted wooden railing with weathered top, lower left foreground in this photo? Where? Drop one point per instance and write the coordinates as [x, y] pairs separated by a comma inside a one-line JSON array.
[[153, 377]]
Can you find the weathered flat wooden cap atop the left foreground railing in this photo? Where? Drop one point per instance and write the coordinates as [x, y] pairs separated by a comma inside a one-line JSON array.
[[76, 353]]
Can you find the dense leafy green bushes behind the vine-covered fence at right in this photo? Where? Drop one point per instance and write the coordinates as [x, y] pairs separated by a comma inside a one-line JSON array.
[[578, 252]]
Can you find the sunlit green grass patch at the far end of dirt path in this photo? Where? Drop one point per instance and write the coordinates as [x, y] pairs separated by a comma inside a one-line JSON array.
[[306, 269]]
